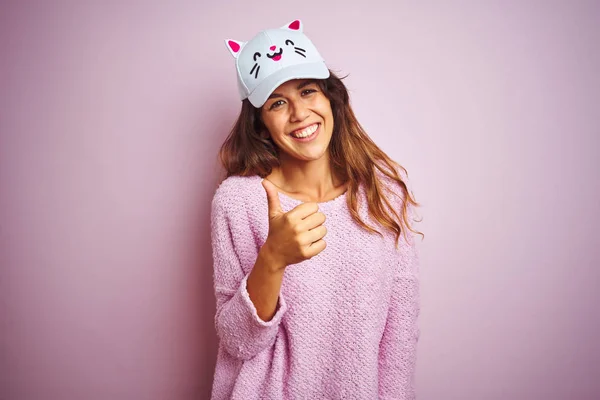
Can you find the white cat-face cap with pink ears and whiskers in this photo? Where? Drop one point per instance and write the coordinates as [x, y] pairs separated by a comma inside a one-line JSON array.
[[272, 57]]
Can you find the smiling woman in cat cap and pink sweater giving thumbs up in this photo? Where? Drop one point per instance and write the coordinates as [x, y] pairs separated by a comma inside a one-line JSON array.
[[316, 278]]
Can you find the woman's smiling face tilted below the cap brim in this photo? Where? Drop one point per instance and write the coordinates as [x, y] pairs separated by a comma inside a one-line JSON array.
[[299, 119]]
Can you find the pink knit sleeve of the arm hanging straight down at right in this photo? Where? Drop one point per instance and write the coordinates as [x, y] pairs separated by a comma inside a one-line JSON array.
[[398, 347]]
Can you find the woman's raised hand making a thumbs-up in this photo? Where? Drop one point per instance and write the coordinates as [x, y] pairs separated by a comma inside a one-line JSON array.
[[294, 236]]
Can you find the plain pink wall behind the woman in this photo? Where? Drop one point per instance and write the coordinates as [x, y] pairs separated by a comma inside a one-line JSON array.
[[110, 120]]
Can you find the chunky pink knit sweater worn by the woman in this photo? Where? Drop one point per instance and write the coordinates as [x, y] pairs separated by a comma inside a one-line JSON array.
[[346, 324]]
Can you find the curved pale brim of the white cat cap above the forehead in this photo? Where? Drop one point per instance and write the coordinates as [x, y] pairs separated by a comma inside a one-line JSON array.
[[261, 93]]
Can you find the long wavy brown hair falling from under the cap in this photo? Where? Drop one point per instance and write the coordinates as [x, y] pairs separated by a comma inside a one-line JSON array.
[[354, 157]]
